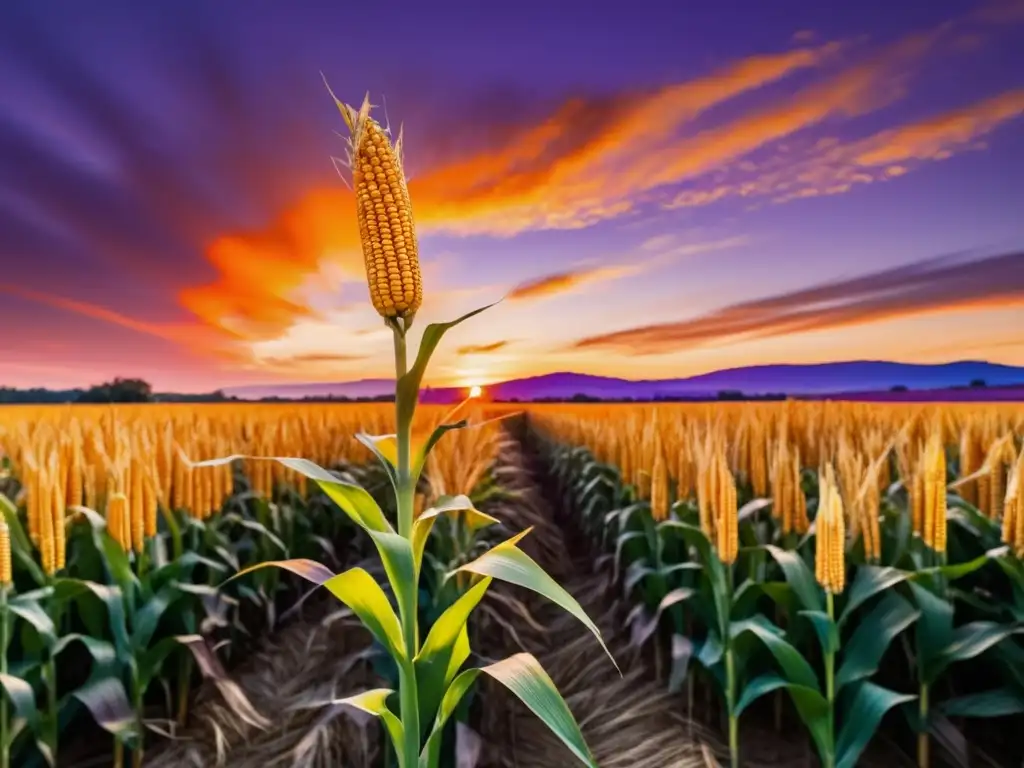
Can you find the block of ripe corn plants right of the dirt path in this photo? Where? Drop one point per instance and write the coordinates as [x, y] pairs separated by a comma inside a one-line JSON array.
[[863, 561]]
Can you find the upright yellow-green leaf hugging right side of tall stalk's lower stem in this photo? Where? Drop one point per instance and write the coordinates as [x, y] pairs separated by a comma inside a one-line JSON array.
[[442, 650]]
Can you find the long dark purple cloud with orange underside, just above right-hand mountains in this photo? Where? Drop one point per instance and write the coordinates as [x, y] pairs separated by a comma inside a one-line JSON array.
[[936, 285]]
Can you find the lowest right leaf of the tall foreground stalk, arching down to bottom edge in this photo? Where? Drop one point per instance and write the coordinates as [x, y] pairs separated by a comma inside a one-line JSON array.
[[524, 676]]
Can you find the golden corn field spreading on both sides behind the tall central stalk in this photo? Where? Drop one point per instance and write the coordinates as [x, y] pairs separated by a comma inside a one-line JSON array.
[[847, 570]]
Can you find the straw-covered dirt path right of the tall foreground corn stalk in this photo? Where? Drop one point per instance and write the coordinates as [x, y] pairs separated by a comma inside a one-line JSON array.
[[629, 721]]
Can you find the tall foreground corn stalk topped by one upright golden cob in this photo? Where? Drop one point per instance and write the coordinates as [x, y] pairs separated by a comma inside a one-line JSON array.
[[431, 680]]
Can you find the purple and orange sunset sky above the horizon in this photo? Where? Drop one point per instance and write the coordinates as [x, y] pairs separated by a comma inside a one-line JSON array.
[[654, 189]]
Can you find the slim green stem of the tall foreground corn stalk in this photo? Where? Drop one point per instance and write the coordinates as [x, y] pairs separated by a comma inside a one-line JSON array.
[[406, 491]]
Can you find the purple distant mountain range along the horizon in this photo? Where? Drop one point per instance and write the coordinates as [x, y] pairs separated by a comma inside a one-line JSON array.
[[795, 380]]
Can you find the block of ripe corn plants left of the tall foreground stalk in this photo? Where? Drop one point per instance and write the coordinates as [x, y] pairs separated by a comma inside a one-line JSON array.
[[113, 549]]
